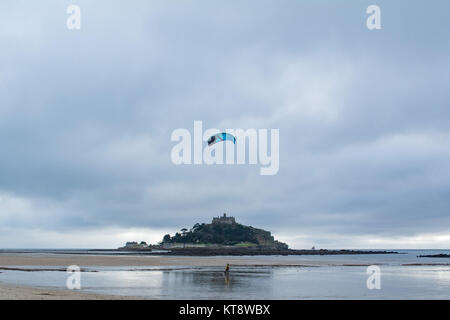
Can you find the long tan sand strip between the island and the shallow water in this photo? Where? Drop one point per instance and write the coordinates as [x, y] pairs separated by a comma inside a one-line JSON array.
[[59, 262]]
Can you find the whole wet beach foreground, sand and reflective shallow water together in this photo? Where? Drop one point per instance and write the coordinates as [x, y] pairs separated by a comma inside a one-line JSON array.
[[41, 276]]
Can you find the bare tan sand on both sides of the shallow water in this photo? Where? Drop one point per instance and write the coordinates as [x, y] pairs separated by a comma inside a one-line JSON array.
[[26, 262]]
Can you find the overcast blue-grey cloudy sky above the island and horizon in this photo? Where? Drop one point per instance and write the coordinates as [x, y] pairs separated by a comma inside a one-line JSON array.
[[86, 118]]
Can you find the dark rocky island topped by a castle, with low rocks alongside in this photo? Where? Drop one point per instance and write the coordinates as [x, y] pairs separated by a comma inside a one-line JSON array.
[[224, 236]]
